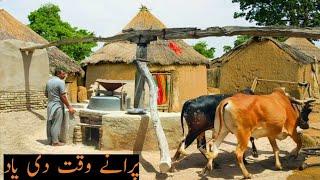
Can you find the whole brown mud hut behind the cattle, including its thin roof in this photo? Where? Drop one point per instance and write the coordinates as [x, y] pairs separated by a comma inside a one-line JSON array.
[[264, 58]]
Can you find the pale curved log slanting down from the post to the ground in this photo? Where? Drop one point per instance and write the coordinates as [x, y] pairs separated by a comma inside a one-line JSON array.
[[165, 159]]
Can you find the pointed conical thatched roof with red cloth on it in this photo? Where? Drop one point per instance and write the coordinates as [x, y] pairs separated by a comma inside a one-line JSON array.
[[159, 52]]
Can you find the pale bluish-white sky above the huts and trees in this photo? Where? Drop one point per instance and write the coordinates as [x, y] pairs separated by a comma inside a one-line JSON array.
[[108, 17]]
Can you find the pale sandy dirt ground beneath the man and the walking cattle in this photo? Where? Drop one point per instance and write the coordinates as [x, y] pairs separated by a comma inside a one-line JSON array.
[[25, 132]]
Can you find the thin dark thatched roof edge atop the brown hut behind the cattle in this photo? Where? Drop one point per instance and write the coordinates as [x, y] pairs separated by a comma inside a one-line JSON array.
[[297, 55]]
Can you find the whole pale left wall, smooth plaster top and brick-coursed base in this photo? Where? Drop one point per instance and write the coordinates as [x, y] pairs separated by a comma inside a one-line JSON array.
[[23, 77]]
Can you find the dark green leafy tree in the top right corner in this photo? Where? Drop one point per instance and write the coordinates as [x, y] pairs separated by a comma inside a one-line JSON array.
[[300, 13]]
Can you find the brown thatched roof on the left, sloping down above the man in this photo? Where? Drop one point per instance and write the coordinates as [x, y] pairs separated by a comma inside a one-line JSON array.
[[11, 28]]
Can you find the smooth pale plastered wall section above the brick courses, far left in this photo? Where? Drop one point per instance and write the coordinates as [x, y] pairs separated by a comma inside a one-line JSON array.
[[22, 71]]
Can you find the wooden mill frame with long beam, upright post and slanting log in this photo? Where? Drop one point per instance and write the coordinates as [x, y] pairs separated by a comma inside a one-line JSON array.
[[143, 38]]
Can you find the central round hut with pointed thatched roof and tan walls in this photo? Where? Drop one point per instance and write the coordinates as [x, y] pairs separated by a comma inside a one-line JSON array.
[[173, 57]]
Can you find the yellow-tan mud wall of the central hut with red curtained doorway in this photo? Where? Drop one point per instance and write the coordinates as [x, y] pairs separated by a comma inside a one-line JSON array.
[[189, 81]]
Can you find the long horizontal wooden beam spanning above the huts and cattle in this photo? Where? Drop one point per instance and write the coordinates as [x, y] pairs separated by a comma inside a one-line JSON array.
[[140, 36]]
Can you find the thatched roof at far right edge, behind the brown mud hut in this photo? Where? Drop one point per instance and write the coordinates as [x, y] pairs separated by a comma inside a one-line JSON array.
[[305, 46]]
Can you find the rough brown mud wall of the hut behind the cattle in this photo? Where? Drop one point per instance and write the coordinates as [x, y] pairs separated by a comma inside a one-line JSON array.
[[263, 60]]
